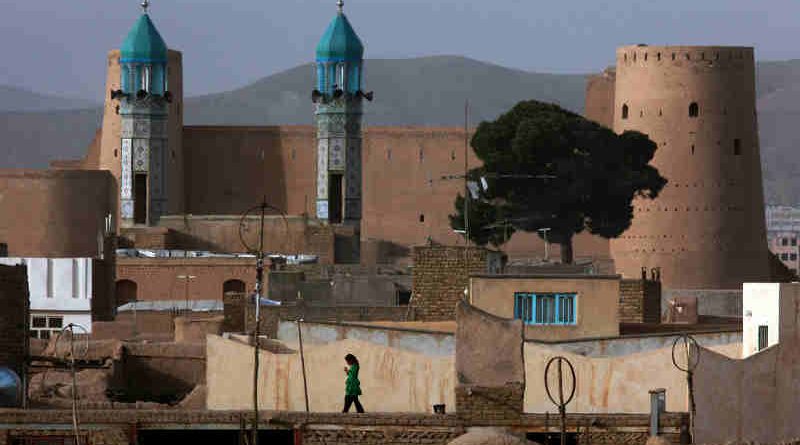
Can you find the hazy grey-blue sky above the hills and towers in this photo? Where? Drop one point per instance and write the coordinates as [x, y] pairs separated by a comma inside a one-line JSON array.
[[59, 46]]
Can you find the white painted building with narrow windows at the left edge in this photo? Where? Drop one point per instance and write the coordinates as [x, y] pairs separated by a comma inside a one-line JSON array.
[[60, 292]]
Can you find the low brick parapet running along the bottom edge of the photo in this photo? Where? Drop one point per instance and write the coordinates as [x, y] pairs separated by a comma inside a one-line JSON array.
[[112, 427]]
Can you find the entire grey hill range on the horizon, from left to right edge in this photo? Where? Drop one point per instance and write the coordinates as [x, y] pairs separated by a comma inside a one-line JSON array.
[[422, 91]]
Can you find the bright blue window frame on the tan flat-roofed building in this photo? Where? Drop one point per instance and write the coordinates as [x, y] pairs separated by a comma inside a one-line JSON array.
[[545, 309]]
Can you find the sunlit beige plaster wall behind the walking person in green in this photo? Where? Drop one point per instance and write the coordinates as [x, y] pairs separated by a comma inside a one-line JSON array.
[[392, 380]]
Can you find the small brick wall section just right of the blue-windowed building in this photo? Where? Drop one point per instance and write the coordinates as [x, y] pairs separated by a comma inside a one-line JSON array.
[[639, 301]]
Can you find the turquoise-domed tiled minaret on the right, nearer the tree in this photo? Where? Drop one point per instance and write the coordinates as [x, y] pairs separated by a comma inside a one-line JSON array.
[[338, 97]]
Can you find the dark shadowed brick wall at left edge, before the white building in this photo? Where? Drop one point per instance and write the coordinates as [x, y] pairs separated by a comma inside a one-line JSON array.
[[14, 317]]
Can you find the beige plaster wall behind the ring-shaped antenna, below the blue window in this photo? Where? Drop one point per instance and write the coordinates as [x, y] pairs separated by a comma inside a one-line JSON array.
[[618, 384]]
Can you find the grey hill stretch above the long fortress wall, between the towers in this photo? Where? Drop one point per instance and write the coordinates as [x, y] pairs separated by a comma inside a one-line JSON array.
[[421, 91]]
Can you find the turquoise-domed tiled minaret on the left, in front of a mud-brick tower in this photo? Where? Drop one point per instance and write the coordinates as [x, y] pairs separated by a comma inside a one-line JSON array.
[[143, 107]]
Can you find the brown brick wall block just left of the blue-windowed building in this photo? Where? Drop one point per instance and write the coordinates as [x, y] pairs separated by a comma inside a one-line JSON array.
[[441, 273]]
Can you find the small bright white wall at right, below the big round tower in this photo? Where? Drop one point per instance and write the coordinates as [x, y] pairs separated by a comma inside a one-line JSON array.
[[760, 307]]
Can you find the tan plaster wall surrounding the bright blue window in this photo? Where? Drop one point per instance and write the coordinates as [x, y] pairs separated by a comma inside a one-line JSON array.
[[598, 297]]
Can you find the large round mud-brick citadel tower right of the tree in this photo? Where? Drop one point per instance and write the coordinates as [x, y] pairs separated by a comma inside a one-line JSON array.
[[706, 229]]
